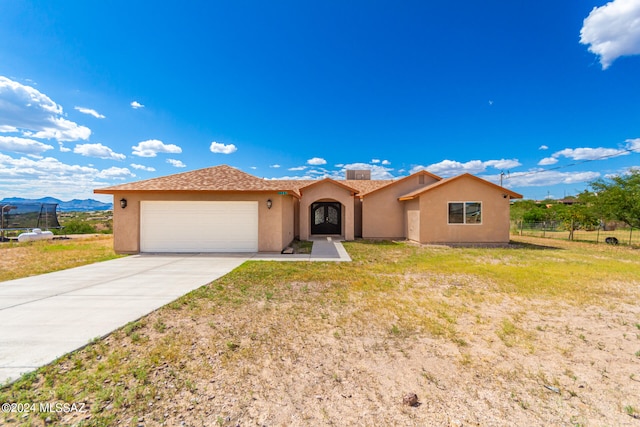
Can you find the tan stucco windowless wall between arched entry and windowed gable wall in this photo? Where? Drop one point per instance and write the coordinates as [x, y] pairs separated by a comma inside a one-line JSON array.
[[383, 216]]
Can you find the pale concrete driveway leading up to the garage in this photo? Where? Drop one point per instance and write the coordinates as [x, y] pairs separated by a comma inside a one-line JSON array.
[[44, 317]]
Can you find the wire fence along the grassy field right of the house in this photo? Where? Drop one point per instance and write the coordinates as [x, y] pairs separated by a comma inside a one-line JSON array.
[[609, 233]]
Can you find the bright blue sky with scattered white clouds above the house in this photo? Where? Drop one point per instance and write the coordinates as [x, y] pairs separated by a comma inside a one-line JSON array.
[[100, 93]]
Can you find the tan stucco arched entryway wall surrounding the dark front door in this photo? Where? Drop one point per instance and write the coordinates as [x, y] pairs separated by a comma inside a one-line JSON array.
[[326, 191]]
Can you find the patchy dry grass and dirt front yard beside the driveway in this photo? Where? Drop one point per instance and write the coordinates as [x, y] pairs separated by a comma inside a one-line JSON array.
[[485, 336]]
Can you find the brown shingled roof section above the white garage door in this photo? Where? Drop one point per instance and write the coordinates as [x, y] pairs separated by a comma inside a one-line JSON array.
[[217, 178]]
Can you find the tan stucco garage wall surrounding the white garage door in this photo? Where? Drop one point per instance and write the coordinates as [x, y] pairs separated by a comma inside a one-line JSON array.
[[276, 226]]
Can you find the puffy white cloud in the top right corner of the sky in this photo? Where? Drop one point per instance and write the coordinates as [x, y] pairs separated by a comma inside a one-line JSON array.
[[613, 30]]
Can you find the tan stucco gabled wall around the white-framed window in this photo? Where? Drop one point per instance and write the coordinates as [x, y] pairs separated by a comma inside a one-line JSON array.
[[434, 214]]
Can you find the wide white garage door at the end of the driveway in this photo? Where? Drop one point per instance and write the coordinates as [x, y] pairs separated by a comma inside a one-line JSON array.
[[198, 226]]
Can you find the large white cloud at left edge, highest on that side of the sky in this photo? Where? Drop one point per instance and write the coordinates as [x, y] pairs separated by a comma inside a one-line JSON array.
[[28, 111]]
